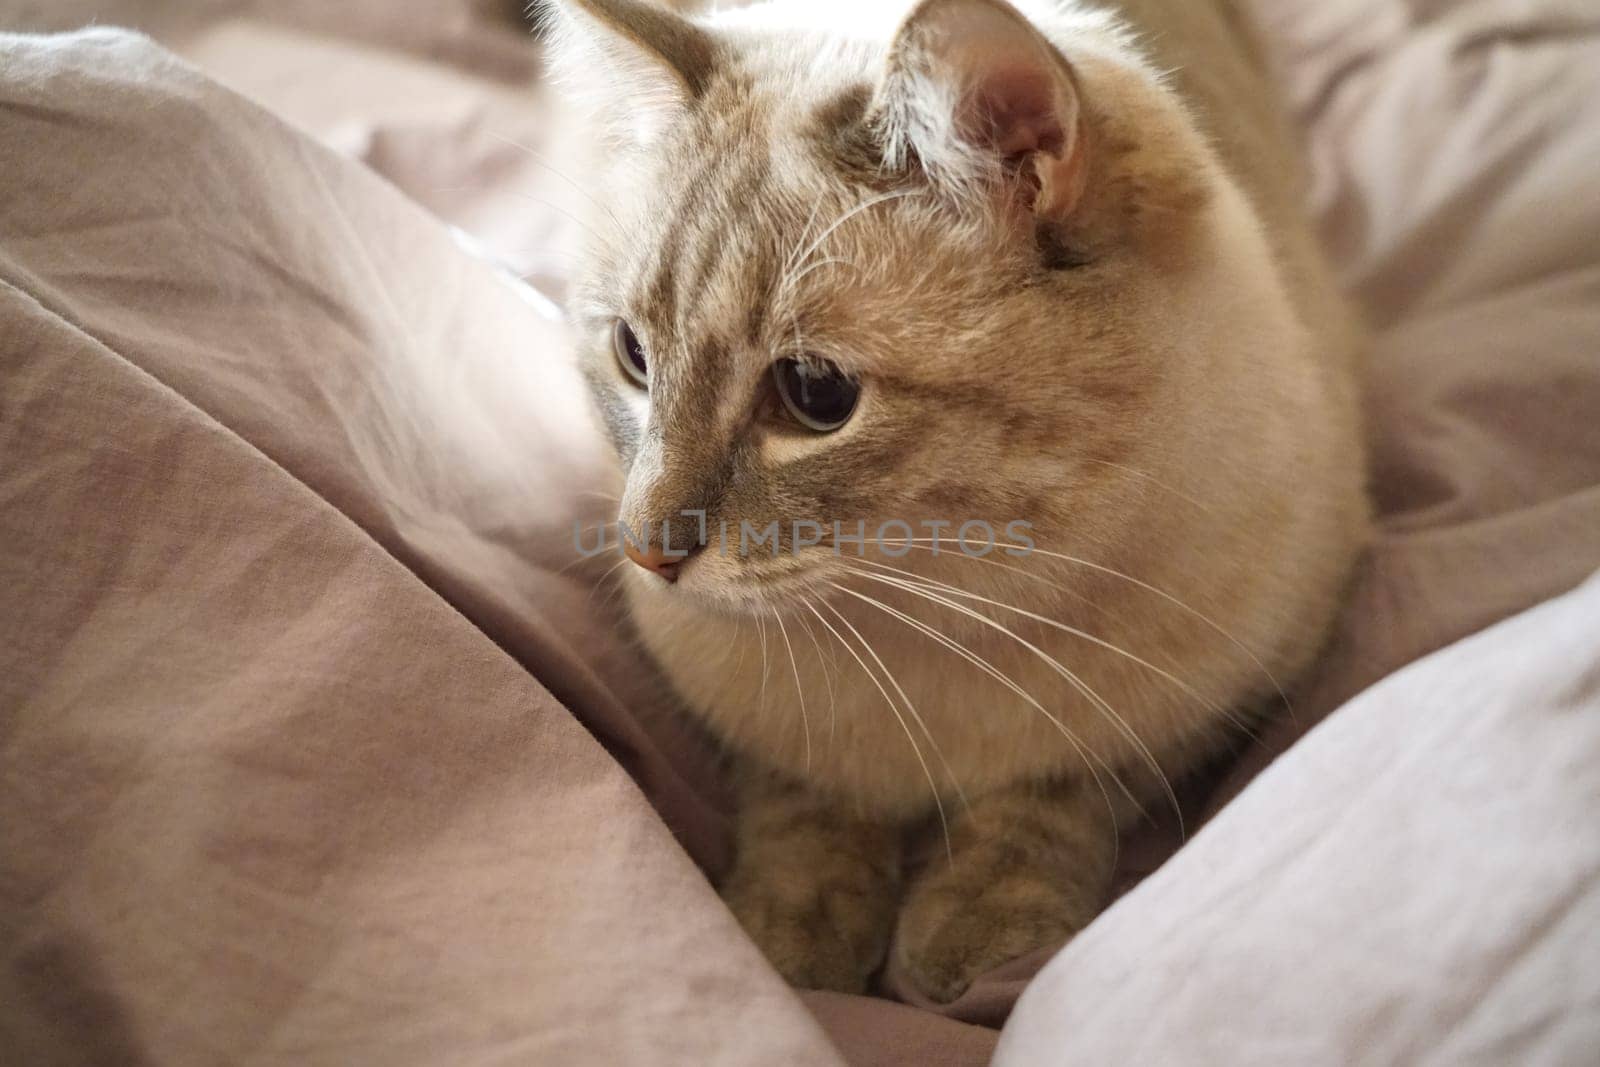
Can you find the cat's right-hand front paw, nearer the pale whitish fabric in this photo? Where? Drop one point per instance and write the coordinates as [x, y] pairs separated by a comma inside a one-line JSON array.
[[951, 933]]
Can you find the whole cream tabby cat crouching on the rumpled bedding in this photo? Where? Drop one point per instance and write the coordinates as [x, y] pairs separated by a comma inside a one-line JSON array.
[[892, 274]]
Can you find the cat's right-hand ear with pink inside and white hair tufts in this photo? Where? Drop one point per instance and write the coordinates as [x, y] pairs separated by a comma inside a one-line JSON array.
[[977, 98]]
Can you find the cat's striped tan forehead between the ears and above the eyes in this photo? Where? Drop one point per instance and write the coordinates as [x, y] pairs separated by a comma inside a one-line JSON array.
[[769, 225]]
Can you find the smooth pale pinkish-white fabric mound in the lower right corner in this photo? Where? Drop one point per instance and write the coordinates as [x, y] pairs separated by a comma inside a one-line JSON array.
[[1417, 882]]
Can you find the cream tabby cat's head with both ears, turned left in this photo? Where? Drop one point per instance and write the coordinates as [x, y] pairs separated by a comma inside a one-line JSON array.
[[838, 278]]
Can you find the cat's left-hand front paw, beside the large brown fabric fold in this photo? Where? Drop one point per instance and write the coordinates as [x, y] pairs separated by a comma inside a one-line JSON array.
[[814, 935]]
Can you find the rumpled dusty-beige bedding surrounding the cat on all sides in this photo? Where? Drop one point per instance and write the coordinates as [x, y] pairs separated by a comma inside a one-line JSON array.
[[295, 673]]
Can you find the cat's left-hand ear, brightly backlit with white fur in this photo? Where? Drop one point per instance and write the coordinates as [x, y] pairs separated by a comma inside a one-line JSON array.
[[634, 65]]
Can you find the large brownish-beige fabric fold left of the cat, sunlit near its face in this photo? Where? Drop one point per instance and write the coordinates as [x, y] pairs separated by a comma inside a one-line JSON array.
[[270, 797]]
